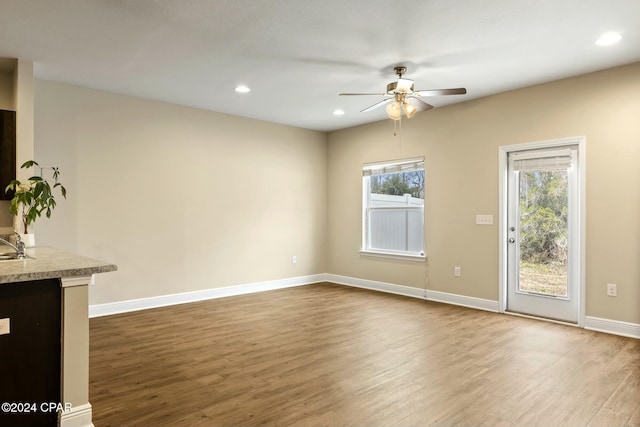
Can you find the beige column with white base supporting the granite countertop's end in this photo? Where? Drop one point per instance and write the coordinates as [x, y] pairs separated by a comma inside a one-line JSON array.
[[75, 352]]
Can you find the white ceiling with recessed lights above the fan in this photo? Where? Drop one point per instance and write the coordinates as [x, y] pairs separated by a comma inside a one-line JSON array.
[[297, 55]]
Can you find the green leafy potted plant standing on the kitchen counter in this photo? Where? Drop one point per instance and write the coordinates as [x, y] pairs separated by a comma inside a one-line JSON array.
[[34, 196]]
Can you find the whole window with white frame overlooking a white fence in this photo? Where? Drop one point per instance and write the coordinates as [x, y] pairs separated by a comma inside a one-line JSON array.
[[393, 208]]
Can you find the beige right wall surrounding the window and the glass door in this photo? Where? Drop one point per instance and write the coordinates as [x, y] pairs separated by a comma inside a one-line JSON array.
[[460, 145]]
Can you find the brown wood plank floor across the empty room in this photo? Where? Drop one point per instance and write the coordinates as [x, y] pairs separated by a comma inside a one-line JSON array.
[[329, 355]]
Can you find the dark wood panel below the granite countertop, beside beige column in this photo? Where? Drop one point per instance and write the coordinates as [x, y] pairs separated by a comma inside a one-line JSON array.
[[30, 355]]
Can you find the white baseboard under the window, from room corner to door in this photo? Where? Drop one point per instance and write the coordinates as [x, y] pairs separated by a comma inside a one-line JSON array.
[[444, 297]]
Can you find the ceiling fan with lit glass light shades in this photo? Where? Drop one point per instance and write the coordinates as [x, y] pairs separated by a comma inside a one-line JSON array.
[[403, 98]]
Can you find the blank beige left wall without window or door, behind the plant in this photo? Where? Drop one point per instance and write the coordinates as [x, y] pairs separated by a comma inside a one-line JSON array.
[[180, 199]]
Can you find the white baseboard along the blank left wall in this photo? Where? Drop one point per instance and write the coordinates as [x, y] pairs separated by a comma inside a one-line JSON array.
[[99, 310]]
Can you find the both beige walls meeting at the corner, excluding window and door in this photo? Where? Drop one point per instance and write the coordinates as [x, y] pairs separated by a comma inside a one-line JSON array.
[[183, 199]]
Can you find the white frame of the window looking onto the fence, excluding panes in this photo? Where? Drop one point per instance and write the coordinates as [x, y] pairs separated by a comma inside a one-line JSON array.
[[369, 169]]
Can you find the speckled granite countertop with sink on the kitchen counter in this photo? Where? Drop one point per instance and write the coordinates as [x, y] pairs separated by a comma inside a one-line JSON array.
[[47, 263]]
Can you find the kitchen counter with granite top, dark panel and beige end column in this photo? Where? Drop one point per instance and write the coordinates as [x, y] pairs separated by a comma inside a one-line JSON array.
[[44, 302]]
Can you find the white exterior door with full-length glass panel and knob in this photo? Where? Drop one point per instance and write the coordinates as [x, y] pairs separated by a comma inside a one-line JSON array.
[[542, 233]]
